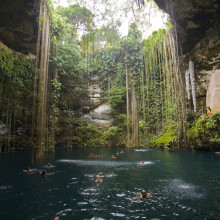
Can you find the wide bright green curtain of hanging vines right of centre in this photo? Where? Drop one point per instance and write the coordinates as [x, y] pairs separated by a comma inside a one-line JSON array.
[[161, 85]]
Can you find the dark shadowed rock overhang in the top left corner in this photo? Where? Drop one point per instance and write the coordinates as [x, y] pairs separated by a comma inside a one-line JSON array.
[[19, 25]]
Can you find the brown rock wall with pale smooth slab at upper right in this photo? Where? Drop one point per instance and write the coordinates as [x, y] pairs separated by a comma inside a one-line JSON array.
[[198, 30]]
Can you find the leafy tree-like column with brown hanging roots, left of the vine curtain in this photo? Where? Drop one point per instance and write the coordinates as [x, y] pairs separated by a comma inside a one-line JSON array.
[[133, 64]]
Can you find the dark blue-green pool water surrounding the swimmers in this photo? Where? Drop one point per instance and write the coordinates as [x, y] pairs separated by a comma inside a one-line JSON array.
[[188, 183]]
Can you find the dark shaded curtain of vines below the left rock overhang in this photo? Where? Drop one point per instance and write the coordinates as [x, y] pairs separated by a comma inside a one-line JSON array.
[[16, 83]]
